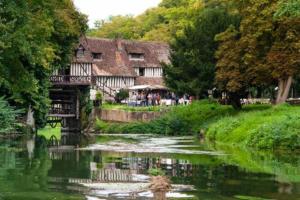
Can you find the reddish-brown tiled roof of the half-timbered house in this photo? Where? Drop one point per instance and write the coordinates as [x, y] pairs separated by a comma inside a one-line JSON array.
[[115, 55]]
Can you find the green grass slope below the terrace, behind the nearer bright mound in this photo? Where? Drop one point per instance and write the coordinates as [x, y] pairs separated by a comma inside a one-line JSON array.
[[180, 120]]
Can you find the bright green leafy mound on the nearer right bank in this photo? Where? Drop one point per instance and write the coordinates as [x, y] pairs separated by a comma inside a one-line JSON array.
[[268, 129]]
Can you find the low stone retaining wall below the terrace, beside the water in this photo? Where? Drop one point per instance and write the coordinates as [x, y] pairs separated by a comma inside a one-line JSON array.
[[126, 116]]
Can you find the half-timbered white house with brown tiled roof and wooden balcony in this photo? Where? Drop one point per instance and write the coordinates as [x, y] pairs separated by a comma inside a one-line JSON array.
[[116, 64]]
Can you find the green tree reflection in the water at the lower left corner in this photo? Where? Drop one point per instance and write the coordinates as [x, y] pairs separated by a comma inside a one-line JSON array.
[[26, 178]]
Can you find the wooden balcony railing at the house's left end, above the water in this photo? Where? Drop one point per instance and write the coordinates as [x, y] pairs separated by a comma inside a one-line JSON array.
[[70, 80]]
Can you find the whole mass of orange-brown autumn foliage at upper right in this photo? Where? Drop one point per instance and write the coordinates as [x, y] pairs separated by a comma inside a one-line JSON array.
[[262, 51]]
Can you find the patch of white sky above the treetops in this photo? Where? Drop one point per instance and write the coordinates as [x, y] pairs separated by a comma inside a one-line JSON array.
[[102, 9]]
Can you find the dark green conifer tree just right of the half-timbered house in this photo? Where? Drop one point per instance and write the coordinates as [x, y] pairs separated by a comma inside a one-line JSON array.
[[192, 67]]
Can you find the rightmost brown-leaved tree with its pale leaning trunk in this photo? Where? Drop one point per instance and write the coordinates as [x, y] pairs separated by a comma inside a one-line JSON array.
[[283, 57]]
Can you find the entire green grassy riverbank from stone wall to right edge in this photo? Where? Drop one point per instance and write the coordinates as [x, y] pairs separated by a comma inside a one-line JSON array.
[[257, 126]]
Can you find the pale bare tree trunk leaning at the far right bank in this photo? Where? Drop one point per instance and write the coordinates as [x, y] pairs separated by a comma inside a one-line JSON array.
[[284, 86]]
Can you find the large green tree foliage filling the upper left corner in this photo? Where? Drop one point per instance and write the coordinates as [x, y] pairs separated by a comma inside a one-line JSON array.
[[31, 38]]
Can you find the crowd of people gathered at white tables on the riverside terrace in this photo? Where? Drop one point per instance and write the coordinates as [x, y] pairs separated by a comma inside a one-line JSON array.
[[156, 99]]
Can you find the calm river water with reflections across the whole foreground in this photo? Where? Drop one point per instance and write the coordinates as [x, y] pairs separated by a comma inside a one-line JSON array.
[[119, 167]]
